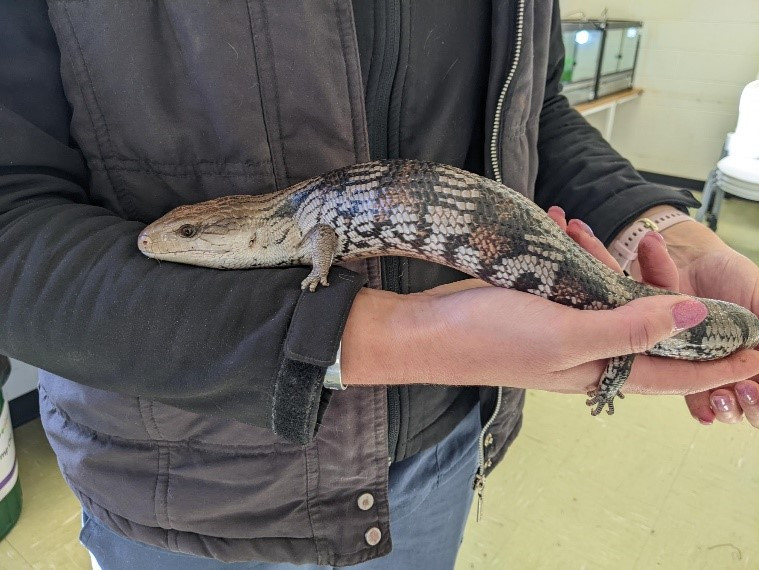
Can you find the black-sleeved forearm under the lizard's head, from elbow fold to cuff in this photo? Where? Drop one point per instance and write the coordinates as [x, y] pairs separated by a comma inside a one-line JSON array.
[[82, 302]]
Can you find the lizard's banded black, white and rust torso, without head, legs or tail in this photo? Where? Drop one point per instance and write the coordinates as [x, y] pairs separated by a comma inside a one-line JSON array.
[[455, 218]]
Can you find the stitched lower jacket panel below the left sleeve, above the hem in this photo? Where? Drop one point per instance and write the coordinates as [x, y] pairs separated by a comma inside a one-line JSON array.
[[166, 469]]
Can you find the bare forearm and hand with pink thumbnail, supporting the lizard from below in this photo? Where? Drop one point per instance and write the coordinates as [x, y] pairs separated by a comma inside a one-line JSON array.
[[468, 333]]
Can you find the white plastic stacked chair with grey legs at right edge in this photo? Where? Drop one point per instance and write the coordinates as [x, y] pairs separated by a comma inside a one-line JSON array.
[[737, 173]]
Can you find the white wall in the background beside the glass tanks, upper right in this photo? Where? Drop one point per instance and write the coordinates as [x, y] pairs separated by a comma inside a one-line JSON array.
[[695, 58]]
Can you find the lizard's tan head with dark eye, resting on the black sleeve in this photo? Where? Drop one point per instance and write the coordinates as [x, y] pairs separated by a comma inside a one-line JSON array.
[[232, 232]]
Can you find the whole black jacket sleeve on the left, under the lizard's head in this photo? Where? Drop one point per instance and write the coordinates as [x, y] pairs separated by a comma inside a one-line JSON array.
[[78, 299]]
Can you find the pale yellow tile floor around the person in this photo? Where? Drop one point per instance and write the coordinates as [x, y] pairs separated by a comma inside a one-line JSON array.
[[648, 488]]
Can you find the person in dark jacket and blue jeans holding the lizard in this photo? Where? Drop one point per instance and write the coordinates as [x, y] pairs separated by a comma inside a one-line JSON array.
[[187, 406]]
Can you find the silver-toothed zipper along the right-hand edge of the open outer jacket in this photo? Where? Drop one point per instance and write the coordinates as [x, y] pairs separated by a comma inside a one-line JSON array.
[[482, 465]]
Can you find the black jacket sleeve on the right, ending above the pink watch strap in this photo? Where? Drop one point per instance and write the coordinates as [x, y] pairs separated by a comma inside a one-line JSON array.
[[580, 172]]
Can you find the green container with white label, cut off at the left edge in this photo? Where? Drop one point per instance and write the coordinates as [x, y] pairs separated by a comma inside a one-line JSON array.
[[10, 485]]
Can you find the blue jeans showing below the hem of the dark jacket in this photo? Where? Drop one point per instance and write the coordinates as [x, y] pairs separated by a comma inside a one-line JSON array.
[[430, 496]]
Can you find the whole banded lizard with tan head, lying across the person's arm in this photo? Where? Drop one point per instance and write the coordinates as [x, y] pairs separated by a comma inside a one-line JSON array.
[[437, 213]]
